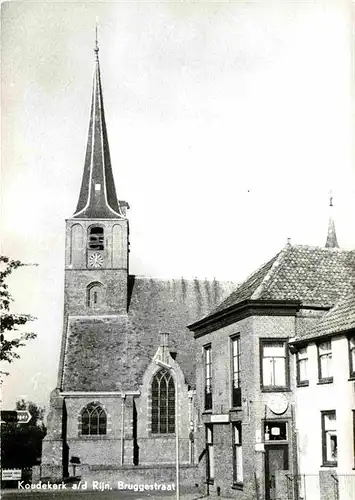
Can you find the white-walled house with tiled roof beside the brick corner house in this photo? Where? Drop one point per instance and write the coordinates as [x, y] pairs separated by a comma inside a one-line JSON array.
[[325, 402]]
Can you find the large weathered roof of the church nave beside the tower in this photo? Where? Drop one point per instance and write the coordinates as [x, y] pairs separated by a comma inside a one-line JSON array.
[[156, 306]]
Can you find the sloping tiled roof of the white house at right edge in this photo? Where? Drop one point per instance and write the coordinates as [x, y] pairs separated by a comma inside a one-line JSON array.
[[340, 318]]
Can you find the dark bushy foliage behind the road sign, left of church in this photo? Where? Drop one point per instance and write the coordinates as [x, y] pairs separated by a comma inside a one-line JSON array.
[[21, 444]]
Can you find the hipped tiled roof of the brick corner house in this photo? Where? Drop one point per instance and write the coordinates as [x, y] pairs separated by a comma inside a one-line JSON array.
[[315, 276]]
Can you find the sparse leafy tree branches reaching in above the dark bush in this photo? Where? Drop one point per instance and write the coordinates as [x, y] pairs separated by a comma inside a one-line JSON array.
[[10, 322]]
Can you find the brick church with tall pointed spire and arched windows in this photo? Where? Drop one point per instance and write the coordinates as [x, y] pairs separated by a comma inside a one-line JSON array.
[[117, 407]]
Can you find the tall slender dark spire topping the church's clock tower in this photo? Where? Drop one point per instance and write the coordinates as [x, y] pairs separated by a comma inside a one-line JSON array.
[[97, 197]]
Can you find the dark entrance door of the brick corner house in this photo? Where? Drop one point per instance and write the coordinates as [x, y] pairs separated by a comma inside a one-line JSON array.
[[276, 458]]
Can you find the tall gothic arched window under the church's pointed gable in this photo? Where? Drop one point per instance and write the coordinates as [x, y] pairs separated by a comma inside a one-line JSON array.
[[163, 403]]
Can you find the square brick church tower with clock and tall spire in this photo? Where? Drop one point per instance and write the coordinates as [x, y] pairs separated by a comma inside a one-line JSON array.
[[96, 260]]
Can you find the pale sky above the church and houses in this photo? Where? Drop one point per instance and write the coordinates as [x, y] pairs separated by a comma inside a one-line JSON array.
[[228, 124]]
